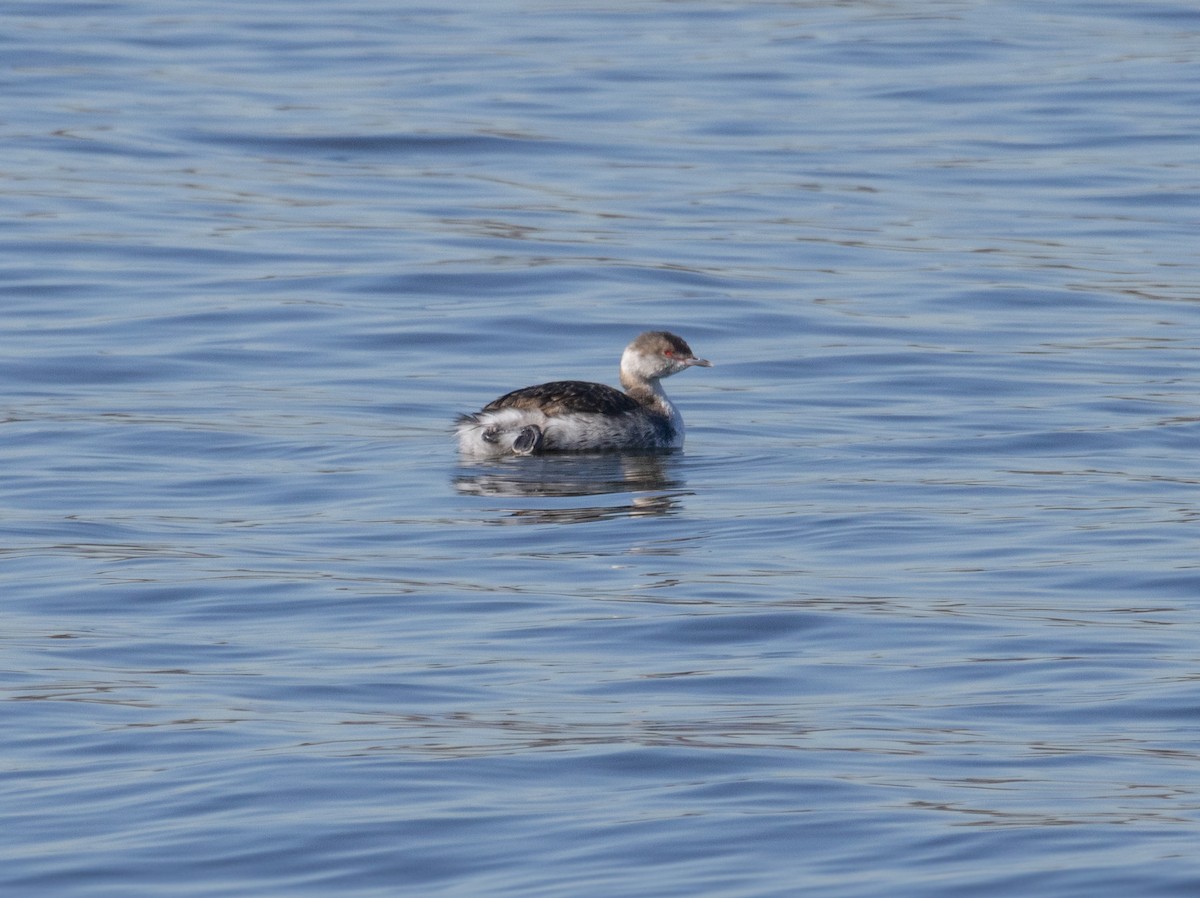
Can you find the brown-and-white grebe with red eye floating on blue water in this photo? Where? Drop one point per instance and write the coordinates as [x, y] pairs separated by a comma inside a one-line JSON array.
[[568, 416]]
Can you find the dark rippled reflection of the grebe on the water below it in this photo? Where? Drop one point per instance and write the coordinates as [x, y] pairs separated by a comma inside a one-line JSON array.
[[577, 475]]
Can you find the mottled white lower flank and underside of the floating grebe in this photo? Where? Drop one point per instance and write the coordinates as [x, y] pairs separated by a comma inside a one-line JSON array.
[[572, 433]]
